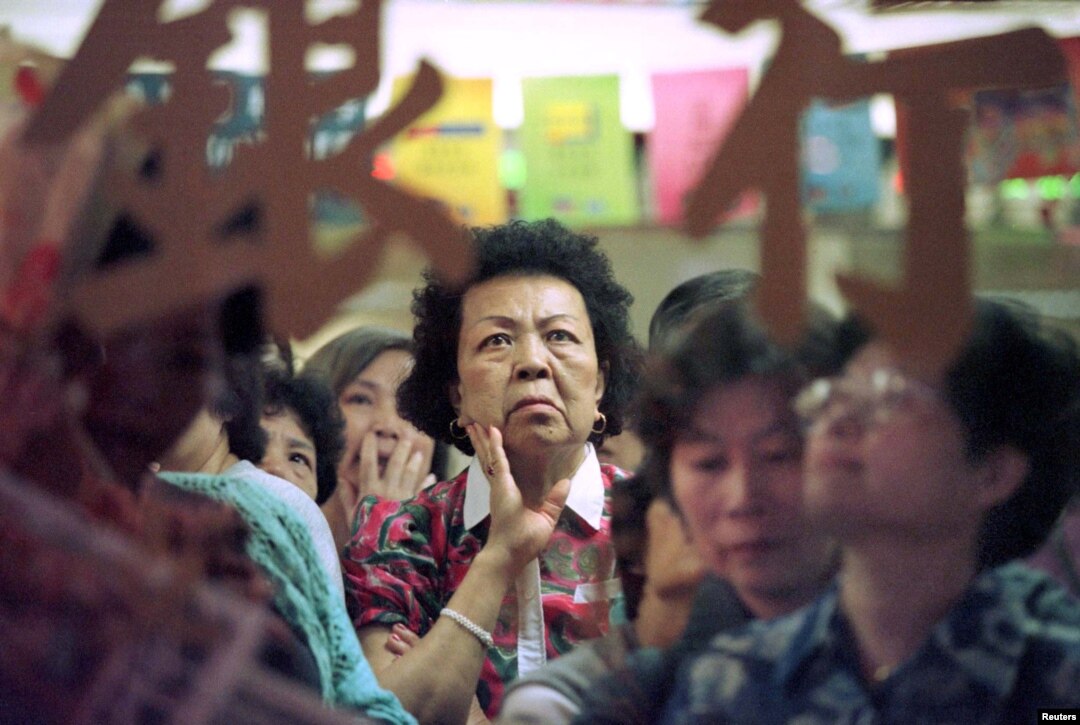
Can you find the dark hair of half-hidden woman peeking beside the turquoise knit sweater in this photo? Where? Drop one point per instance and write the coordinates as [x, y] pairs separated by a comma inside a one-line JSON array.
[[316, 409]]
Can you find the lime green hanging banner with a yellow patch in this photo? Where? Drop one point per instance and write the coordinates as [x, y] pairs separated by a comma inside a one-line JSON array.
[[579, 159]]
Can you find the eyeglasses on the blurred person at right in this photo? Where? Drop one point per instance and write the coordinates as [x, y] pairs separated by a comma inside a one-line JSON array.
[[876, 399]]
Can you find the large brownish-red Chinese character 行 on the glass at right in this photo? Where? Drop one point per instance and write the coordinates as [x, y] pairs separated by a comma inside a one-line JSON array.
[[762, 153]]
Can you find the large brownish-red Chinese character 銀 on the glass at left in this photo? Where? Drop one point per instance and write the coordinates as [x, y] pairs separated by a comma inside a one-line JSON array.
[[192, 211]]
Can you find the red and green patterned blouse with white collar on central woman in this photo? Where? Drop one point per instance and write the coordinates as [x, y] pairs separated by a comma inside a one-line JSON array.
[[407, 559]]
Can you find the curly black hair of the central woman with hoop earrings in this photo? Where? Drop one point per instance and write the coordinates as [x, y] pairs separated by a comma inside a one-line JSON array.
[[520, 248]]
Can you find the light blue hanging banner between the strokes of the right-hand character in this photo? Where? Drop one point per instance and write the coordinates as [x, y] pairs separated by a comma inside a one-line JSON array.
[[842, 157]]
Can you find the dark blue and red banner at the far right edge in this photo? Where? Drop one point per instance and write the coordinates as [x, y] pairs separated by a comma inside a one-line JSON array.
[[1023, 135]]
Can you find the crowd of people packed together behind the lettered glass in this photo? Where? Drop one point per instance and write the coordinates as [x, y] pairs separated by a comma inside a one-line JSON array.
[[813, 533]]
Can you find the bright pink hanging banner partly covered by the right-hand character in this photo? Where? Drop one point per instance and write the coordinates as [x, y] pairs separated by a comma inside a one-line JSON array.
[[694, 113]]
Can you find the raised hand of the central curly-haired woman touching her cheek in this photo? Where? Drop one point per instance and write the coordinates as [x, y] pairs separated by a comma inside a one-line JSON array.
[[523, 529]]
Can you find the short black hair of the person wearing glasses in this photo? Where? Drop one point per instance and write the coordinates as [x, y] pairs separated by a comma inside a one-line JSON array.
[[1017, 383]]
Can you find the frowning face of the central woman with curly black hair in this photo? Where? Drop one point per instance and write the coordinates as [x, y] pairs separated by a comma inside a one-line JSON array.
[[528, 364]]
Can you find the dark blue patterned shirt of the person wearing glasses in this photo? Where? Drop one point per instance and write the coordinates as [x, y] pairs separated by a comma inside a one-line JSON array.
[[1010, 647]]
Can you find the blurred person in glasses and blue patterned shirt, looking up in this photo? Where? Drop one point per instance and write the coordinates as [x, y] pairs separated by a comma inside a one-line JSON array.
[[934, 489]]
